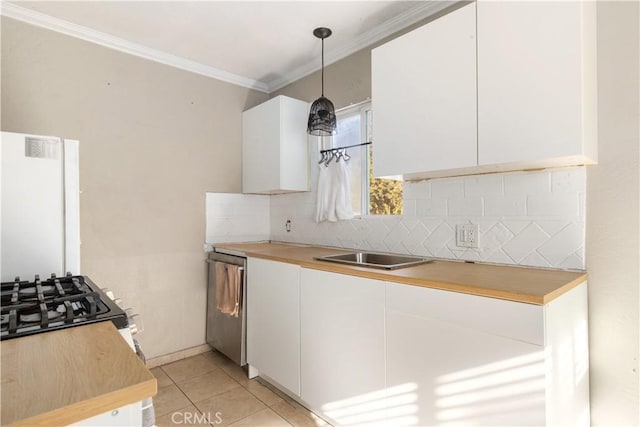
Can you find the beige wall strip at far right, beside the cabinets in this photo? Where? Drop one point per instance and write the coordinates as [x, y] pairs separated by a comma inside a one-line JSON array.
[[612, 247]]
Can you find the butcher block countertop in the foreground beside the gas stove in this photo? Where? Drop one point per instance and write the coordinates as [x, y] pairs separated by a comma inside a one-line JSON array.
[[66, 376]]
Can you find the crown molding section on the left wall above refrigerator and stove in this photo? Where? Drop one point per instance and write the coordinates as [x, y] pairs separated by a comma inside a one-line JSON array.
[[13, 11]]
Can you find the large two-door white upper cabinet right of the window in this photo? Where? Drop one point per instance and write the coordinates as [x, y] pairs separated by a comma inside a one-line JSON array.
[[492, 86]]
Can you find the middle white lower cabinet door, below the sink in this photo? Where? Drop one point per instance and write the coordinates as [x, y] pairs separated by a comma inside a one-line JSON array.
[[342, 347]]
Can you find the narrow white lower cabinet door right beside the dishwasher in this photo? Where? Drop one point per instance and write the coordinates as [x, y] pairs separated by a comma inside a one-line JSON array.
[[273, 321]]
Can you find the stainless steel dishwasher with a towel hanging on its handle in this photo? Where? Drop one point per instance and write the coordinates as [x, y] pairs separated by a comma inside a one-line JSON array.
[[226, 333]]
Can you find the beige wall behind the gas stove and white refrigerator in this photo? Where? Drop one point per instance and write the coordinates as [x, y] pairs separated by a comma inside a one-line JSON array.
[[153, 140]]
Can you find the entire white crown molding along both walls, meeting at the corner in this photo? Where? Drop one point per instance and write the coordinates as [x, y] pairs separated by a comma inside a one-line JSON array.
[[366, 39]]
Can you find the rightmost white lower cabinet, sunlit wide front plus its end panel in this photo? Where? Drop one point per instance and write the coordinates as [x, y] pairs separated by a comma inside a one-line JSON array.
[[453, 358]]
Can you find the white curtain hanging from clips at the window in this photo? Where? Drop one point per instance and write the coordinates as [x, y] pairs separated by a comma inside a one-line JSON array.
[[334, 191]]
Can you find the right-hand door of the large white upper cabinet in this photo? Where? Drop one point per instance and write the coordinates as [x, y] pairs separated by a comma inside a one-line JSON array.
[[536, 83]]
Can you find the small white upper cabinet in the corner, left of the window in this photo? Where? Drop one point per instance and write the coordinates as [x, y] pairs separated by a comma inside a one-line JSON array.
[[275, 155]]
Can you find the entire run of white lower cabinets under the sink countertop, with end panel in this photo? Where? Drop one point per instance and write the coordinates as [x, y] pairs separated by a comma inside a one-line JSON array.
[[362, 351]]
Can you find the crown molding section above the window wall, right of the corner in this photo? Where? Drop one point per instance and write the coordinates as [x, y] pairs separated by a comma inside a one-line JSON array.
[[374, 35]]
